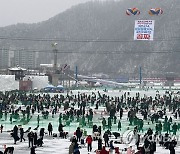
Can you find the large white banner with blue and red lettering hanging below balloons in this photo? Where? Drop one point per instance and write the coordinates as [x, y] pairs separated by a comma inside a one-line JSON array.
[[144, 30]]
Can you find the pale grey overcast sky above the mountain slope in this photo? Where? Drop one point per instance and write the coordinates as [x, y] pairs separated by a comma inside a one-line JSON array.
[[32, 11]]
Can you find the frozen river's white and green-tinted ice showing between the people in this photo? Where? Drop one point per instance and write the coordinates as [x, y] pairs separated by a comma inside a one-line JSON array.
[[57, 145]]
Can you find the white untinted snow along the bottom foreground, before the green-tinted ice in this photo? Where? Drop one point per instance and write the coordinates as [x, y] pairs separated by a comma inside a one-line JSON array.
[[59, 146]]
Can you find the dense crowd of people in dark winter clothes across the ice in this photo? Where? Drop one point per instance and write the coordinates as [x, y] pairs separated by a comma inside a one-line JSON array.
[[142, 112]]
